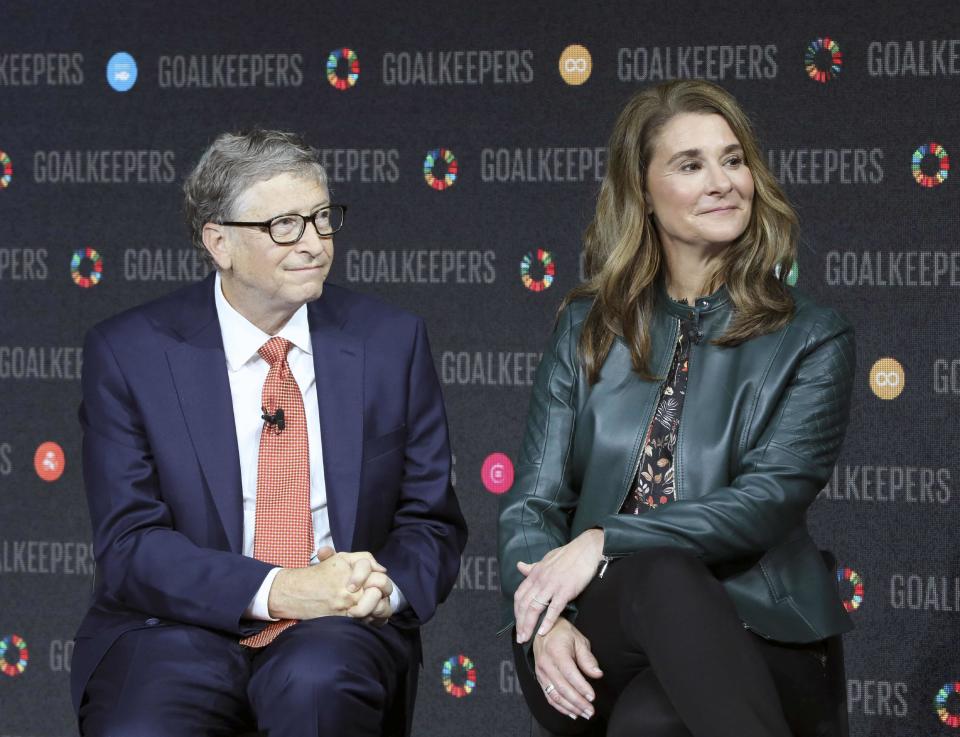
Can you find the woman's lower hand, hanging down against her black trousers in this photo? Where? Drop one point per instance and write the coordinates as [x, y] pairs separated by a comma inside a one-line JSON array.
[[562, 659]]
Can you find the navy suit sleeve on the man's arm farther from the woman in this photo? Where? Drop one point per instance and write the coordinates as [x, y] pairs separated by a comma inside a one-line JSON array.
[[143, 562]]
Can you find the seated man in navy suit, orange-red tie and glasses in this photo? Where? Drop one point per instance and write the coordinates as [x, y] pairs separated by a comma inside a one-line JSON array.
[[236, 434]]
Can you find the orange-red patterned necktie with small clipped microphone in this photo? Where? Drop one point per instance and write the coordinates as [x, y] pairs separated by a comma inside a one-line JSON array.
[[284, 529]]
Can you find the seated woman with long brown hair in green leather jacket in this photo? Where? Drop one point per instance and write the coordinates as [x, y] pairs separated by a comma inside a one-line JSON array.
[[655, 536]]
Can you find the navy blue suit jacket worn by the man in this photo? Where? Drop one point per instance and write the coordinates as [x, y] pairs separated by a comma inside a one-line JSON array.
[[162, 472]]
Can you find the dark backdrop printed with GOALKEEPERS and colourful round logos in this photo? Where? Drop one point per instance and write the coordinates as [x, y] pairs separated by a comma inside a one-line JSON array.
[[469, 141]]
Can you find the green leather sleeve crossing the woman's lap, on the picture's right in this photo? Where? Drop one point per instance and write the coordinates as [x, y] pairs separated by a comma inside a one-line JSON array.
[[779, 477]]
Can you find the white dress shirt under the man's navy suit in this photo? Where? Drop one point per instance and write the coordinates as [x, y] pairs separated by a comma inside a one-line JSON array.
[[247, 372]]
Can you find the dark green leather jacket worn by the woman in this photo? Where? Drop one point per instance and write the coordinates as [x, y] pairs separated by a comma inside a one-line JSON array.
[[762, 427]]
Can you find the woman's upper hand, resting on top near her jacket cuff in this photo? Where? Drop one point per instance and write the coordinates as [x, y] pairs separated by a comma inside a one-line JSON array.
[[553, 582]]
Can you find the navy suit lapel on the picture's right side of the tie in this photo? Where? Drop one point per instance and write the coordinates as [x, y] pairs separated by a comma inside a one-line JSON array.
[[338, 362]]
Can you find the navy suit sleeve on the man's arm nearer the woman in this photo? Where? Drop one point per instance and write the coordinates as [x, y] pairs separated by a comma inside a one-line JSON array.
[[422, 550]]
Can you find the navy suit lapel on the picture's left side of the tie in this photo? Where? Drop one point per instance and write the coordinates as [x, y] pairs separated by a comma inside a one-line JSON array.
[[199, 370]]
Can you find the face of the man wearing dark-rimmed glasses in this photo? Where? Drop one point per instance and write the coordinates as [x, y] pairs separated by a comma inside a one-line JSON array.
[[264, 281]]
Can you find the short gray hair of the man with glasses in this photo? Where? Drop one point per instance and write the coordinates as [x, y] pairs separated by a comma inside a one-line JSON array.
[[236, 161]]
